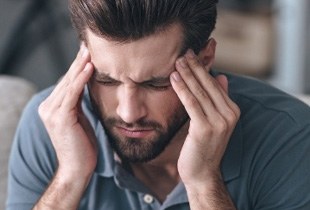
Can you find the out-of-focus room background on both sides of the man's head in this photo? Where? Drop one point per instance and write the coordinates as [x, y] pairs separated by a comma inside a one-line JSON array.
[[267, 39]]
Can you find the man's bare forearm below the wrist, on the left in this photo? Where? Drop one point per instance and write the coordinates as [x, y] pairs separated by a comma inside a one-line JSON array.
[[63, 193]]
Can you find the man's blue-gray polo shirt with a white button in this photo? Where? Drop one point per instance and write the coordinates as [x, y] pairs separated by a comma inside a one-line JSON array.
[[266, 164]]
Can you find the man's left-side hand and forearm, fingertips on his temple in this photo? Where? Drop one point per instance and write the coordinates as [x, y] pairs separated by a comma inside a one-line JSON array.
[[72, 137]]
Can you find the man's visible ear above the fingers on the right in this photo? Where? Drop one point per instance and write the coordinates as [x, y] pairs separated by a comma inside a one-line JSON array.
[[207, 54]]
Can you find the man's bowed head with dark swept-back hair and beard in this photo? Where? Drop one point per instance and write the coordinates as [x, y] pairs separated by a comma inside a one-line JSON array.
[[134, 45]]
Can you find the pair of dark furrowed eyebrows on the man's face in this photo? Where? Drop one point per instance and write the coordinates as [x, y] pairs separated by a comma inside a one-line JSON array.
[[154, 79]]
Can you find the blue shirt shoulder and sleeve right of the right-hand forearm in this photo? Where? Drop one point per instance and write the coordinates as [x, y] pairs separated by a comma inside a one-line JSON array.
[[273, 142]]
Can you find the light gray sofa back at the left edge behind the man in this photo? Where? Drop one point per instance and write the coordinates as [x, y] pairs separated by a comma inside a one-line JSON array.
[[14, 94]]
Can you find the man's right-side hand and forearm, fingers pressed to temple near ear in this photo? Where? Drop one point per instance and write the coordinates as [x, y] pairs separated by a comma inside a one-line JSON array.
[[213, 117]]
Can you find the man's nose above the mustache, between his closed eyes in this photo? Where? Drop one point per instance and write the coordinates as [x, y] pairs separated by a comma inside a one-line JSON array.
[[131, 105]]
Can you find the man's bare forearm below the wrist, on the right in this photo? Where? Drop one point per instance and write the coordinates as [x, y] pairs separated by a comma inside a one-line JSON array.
[[210, 195]]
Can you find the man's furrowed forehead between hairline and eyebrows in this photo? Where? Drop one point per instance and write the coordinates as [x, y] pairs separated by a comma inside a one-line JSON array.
[[153, 55]]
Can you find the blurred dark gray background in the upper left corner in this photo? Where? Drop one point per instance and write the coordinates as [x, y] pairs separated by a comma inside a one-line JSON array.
[[43, 60]]
